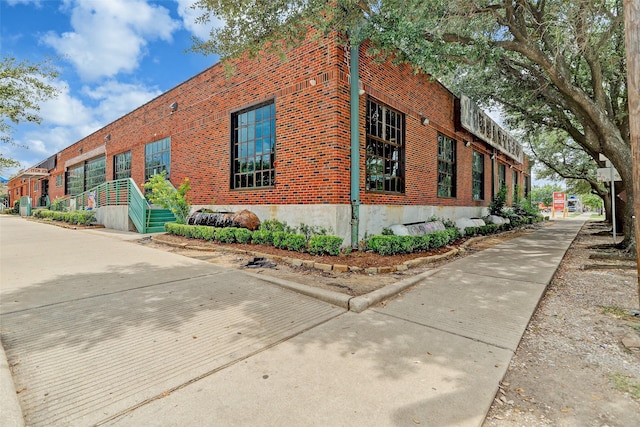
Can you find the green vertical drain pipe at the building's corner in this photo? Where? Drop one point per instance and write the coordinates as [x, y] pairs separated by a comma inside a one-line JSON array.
[[354, 118]]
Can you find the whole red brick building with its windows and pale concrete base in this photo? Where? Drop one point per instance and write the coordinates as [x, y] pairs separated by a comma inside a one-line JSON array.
[[274, 137]]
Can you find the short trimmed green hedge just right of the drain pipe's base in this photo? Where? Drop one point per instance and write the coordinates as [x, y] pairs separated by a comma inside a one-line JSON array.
[[393, 245]]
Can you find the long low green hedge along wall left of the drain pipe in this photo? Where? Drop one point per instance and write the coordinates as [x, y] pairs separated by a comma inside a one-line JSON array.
[[316, 245]]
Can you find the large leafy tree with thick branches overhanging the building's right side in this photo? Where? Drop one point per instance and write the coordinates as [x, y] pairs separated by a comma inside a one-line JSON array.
[[553, 64]]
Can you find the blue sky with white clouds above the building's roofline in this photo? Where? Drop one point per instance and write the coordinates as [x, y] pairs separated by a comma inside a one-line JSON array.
[[113, 56]]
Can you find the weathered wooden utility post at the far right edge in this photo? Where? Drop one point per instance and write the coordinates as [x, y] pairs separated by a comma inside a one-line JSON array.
[[632, 43]]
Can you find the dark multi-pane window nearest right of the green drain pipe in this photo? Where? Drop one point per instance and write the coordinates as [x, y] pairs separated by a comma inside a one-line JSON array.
[[385, 148]]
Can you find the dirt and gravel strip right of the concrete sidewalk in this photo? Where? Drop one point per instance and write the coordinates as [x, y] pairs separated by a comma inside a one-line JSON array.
[[573, 366]]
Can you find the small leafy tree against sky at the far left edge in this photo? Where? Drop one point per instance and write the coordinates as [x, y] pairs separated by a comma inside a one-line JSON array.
[[23, 86]]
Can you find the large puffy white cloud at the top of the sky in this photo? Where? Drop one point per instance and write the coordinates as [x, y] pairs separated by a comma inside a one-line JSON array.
[[109, 37]]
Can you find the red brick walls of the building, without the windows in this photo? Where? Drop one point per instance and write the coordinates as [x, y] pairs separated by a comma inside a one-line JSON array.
[[310, 91]]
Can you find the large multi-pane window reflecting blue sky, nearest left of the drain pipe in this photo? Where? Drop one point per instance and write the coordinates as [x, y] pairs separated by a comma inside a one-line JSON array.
[[253, 147]]
